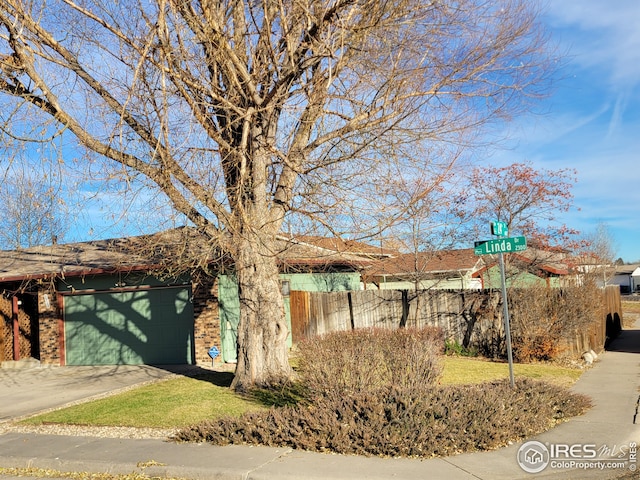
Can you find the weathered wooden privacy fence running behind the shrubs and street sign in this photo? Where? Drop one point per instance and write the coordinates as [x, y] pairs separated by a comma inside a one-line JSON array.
[[472, 318]]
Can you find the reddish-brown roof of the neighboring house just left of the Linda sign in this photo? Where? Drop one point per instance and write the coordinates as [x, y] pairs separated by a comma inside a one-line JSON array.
[[442, 261]]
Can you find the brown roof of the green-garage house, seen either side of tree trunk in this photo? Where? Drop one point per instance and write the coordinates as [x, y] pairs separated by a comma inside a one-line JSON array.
[[155, 252]]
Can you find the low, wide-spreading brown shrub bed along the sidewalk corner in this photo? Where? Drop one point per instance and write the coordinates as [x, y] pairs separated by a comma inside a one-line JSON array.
[[399, 421]]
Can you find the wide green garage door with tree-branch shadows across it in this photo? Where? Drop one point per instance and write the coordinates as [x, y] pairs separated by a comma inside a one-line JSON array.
[[153, 327]]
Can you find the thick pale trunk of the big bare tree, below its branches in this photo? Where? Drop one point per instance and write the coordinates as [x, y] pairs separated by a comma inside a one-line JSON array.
[[262, 330]]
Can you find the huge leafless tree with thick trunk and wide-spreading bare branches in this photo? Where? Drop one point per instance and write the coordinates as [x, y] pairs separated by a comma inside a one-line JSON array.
[[245, 113]]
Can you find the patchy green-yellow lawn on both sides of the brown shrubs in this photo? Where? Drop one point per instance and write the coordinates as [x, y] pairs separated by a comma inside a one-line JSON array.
[[185, 401]]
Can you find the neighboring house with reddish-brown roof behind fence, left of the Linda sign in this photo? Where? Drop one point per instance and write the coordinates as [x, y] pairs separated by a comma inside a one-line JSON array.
[[443, 269]]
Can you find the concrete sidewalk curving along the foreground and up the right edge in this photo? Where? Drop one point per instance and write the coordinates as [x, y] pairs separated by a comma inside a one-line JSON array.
[[608, 429]]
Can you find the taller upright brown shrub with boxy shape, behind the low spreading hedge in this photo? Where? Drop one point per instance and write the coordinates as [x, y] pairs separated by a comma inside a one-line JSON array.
[[347, 363]]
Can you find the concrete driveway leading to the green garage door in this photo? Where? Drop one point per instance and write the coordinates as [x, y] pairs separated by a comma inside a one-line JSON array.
[[24, 392]]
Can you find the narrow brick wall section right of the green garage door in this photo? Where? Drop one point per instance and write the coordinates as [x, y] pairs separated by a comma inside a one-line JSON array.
[[206, 317]]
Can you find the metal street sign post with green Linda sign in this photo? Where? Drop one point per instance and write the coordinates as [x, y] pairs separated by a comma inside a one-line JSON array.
[[500, 246]]
